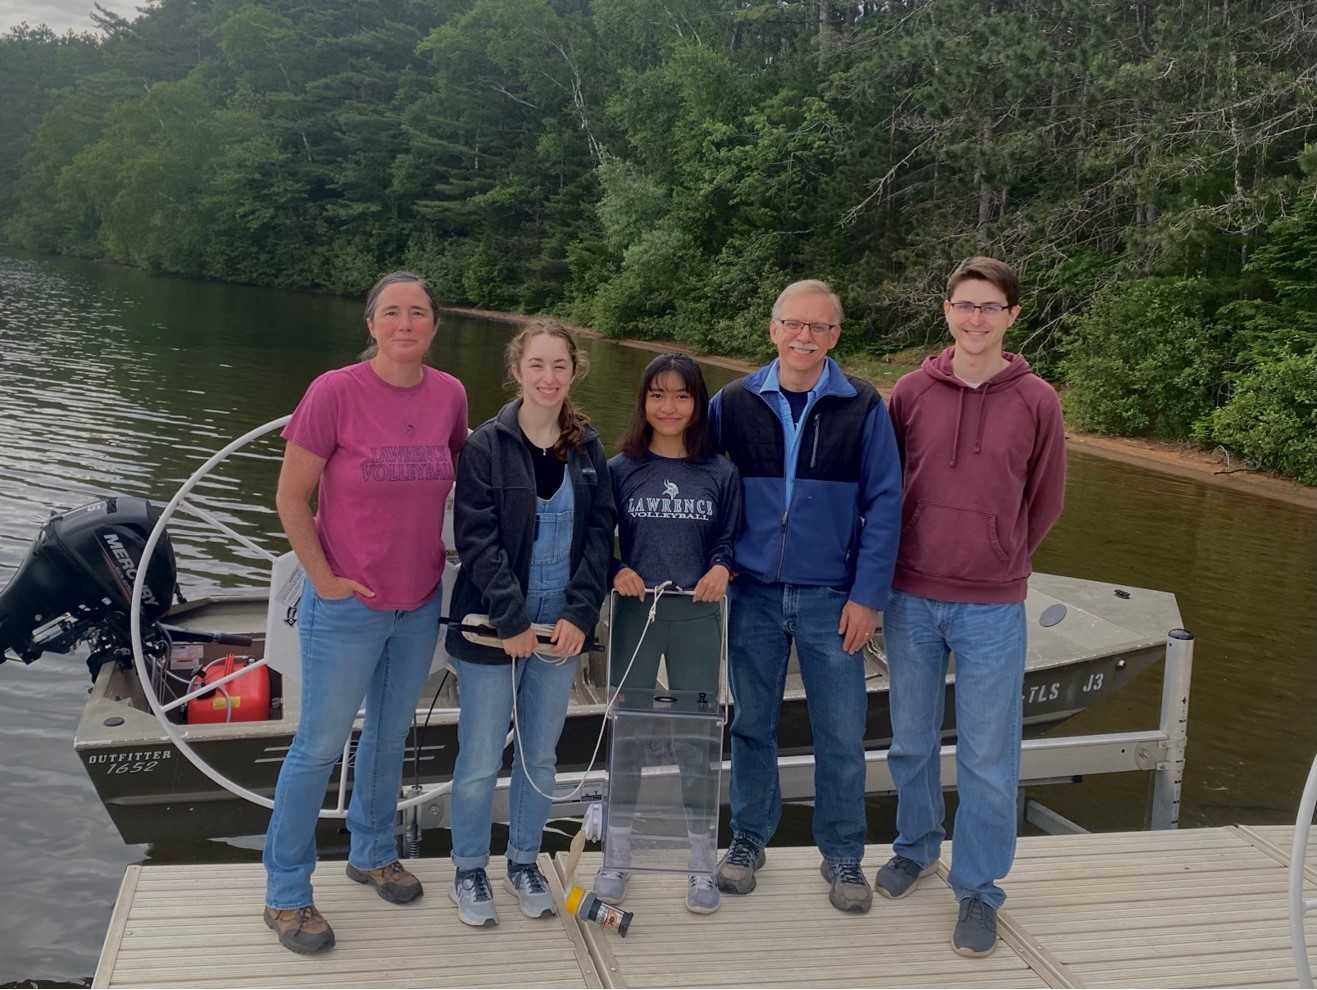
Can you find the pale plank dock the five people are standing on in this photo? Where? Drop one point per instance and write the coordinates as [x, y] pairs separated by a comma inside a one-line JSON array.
[[1183, 909]]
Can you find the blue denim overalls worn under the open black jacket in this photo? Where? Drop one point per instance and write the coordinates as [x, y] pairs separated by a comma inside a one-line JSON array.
[[543, 692]]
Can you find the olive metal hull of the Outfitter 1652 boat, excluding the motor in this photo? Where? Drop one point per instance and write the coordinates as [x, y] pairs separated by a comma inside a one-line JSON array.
[[1107, 637]]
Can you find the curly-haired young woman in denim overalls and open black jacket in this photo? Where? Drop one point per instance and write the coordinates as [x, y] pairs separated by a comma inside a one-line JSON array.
[[534, 527]]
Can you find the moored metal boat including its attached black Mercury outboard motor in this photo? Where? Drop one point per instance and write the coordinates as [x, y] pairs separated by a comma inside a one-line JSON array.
[[165, 780]]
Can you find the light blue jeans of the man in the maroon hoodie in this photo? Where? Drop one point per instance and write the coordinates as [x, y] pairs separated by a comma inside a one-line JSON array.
[[990, 643]]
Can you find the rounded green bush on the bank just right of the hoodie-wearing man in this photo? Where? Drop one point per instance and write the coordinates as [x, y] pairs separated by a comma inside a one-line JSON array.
[[1145, 359]]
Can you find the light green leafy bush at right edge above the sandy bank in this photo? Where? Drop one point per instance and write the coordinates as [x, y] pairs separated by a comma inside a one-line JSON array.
[[1272, 418]]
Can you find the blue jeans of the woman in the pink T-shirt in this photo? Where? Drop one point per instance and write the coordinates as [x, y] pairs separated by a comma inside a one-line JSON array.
[[350, 652]]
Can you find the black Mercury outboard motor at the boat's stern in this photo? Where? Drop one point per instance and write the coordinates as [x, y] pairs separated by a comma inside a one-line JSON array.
[[77, 583]]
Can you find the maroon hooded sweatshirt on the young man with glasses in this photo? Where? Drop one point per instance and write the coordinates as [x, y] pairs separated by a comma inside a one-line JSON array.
[[984, 480]]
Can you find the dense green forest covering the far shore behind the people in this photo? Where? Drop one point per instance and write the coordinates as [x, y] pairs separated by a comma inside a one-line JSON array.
[[663, 168]]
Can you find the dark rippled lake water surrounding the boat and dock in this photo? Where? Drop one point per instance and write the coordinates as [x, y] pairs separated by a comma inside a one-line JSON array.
[[114, 381]]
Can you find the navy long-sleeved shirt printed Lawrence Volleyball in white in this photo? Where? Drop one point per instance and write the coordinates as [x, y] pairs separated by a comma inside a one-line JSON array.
[[676, 518]]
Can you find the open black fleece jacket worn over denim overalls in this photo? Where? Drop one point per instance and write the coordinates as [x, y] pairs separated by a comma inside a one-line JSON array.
[[495, 530]]
